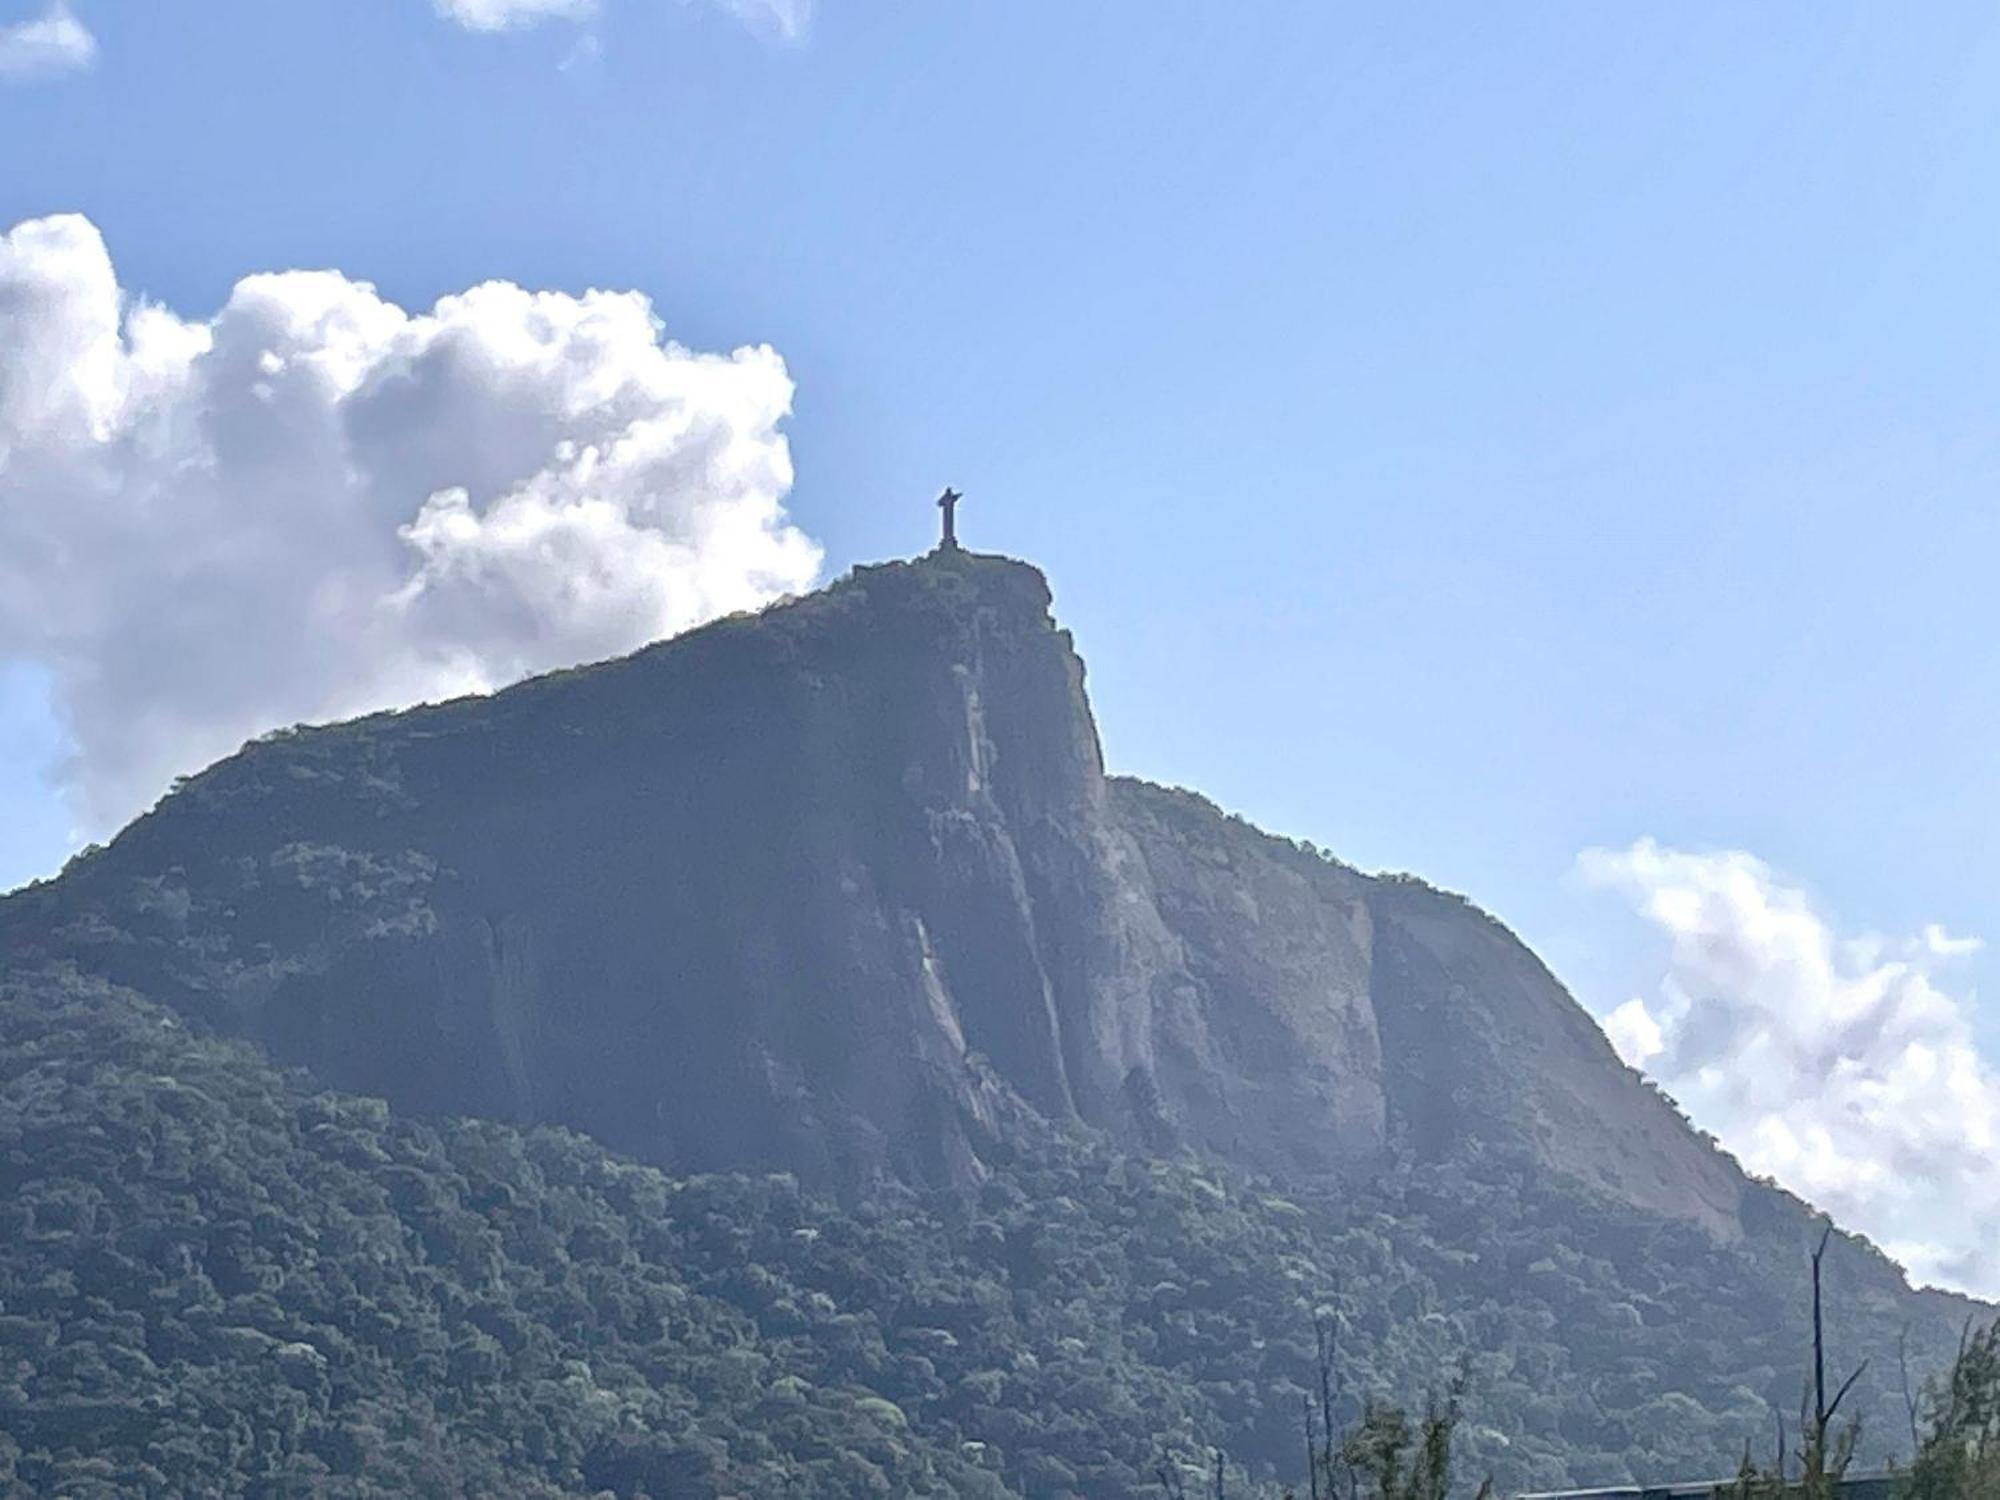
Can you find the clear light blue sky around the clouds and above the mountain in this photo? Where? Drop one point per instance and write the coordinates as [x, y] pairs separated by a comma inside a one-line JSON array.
[[1461, 439]]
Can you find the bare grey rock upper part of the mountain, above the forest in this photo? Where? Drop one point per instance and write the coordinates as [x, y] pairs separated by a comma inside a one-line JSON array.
[[843, 889]]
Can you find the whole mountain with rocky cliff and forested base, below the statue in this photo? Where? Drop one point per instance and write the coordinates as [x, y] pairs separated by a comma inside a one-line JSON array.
[[1085, 1101]]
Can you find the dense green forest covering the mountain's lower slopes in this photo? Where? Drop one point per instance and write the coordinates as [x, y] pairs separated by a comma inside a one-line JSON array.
[[221, 1279]]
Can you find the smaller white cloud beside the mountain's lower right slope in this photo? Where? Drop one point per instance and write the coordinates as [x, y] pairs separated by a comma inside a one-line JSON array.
[[1837, 1065]]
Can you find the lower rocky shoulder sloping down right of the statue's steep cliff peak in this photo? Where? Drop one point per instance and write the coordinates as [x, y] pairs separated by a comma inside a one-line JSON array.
[[1467, 1037]]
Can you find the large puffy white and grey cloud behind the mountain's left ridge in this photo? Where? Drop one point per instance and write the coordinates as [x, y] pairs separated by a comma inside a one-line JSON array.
[[317, 503]]
